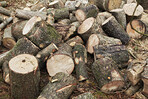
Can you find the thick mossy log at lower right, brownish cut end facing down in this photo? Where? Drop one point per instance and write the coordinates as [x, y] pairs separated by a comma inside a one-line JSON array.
[[108, 77]]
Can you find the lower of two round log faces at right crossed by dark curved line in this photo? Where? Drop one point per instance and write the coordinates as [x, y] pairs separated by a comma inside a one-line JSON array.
[[139, 26]]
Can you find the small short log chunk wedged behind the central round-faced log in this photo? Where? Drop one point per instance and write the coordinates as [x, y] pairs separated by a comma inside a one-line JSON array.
[[74, 41]]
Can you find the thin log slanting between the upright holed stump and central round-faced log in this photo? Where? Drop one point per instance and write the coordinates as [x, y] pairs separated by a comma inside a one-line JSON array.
[[43, 55]]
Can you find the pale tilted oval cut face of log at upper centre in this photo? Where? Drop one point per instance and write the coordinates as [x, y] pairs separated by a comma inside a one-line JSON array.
[[86, 25]]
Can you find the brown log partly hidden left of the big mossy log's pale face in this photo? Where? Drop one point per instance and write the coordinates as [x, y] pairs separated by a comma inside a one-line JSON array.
[[17, 29]]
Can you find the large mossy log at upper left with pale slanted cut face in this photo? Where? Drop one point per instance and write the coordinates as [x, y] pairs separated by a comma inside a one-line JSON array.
[[41, 33]]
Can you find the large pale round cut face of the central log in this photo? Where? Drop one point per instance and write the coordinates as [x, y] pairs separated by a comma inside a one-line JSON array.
[[60, 63]]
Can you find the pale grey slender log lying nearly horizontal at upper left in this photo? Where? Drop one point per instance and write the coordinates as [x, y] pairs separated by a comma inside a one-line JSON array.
[[24, 14]]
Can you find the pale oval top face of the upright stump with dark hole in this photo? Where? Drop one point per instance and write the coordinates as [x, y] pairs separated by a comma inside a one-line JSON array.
[[23, 64]]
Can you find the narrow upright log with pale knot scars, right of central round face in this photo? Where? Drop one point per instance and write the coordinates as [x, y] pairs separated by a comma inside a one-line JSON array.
[[80, 59]]
